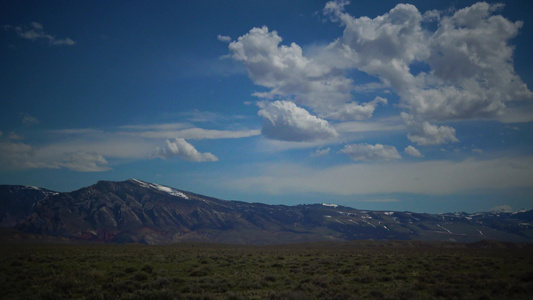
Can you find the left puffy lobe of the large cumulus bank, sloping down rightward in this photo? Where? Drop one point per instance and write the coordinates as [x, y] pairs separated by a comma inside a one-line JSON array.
[[288, 73]]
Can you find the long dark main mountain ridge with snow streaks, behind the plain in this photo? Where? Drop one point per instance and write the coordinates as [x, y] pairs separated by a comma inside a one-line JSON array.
[[137, 211]]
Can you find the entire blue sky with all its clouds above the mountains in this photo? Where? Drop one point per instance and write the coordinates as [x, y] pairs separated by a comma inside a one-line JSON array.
[[424, 106]]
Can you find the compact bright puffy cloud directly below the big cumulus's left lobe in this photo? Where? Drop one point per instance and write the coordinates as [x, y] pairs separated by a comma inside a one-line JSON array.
[[283, 120]]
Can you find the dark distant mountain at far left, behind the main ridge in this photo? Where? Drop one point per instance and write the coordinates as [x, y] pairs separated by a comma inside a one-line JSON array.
[[17, 201]]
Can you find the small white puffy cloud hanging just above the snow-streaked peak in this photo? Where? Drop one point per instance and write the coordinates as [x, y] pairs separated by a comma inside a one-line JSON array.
[[181, 148]]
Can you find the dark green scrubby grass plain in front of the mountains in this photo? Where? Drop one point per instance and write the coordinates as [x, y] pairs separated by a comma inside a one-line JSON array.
[[354, 270]]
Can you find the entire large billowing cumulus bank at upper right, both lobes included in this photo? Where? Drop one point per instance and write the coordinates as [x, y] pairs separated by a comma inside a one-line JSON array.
[[443, 65]]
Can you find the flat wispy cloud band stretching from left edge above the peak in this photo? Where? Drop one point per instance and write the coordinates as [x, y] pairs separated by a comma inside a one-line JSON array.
[[91, 150]]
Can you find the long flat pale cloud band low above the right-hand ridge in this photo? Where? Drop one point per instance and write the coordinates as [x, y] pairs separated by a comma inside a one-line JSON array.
[[427, 177]]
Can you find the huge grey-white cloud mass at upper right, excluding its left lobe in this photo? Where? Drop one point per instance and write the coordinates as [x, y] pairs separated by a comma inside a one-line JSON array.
[[470, 59]]
